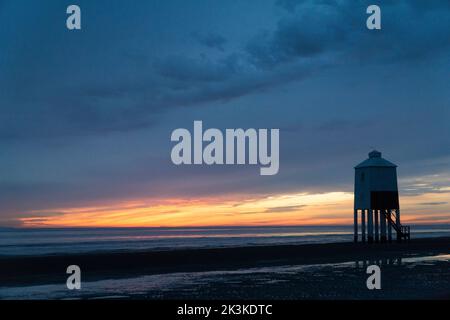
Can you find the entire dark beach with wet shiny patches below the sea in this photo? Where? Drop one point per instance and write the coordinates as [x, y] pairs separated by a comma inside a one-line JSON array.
[[418, 269]]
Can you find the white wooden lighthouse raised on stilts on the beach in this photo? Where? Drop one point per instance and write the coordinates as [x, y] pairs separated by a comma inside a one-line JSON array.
[[376, 201]]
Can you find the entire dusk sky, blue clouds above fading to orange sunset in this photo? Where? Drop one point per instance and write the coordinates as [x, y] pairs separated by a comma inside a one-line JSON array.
[[86, 116]]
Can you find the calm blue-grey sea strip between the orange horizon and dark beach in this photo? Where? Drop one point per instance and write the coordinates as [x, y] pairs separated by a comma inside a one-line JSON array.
[[77, 240]]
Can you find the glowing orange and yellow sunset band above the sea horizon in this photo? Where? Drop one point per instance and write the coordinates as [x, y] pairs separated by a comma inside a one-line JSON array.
[[332, 208]]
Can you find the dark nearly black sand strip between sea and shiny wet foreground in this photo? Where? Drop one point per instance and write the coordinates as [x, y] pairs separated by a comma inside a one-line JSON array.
[[44, 270]]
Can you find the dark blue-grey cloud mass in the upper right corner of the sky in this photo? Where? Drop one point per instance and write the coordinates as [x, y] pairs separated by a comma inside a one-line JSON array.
[[333, 28]]
